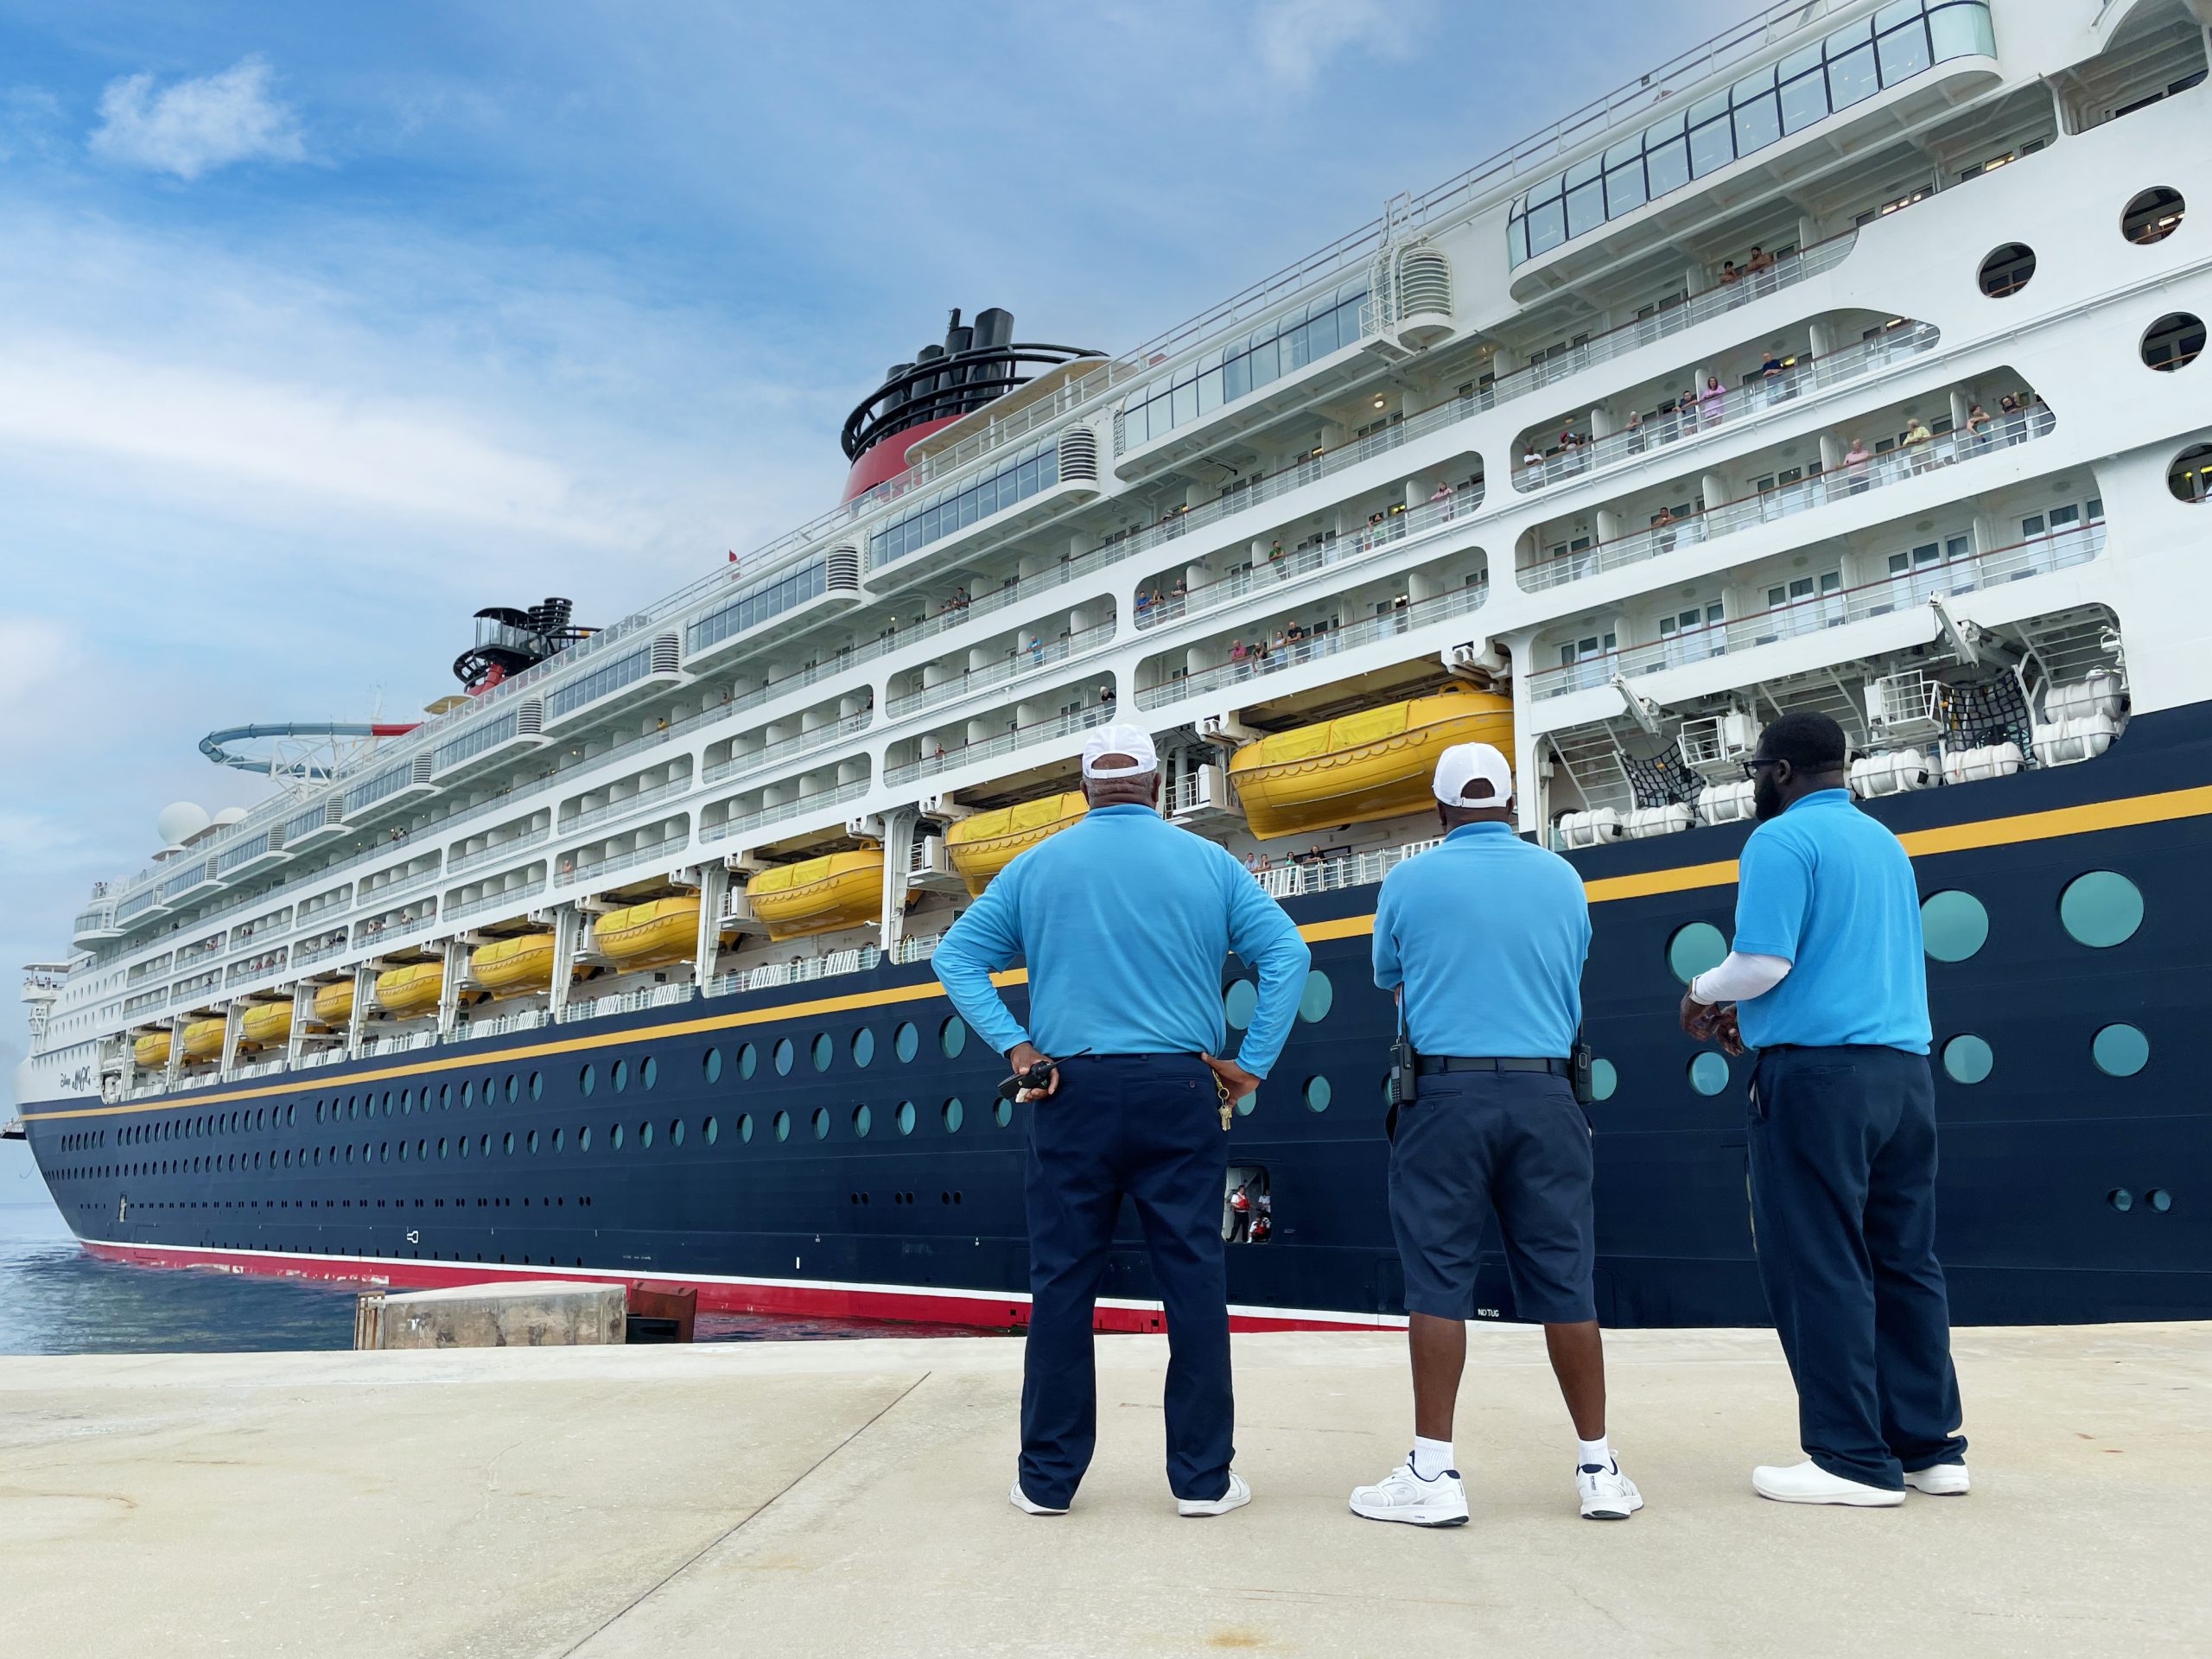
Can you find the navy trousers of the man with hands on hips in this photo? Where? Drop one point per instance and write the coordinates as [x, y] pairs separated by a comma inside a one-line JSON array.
[[1147, 1127]]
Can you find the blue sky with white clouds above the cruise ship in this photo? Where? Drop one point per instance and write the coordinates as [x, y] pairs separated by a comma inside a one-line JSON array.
[[326, 326]]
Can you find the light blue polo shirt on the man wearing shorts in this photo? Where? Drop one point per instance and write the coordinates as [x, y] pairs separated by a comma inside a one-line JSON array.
[[1488, 937]]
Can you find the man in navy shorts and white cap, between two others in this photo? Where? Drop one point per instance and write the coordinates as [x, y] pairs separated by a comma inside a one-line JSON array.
[[1483, 943]]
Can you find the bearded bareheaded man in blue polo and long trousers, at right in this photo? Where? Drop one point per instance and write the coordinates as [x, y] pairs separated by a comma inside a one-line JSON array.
[[1828, 983]]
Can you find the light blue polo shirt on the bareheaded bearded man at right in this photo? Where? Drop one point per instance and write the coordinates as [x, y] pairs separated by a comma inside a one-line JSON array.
[[1833, 893]]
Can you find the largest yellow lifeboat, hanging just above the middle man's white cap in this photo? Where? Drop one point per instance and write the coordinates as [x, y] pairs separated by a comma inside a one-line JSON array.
[[1366, 766]]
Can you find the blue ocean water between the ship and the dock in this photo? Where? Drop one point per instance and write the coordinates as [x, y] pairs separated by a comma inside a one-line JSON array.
[[56, 1300]]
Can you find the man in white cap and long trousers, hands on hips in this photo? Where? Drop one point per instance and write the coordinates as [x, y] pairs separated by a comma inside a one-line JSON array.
[[1125, 924]]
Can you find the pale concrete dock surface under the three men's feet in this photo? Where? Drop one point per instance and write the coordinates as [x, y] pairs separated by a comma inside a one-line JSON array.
[[851, 1499]]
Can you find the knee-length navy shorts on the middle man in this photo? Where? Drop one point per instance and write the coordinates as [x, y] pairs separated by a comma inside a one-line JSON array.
[[1481, 1142]]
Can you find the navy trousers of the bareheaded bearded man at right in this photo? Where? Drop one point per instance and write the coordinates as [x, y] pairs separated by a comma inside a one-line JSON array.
[[1844, 1207]]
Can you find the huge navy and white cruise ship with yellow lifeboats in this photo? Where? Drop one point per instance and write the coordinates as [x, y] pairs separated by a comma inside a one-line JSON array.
[[1848, 362]]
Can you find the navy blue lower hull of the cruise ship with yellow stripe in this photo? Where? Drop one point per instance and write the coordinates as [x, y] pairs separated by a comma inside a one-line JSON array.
[[2067, 1193]]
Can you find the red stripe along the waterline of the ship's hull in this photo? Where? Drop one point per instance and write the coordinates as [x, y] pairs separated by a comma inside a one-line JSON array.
[[979, 1311]]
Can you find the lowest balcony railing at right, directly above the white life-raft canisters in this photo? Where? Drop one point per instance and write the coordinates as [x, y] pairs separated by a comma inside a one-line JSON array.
[[1919, 585]]
